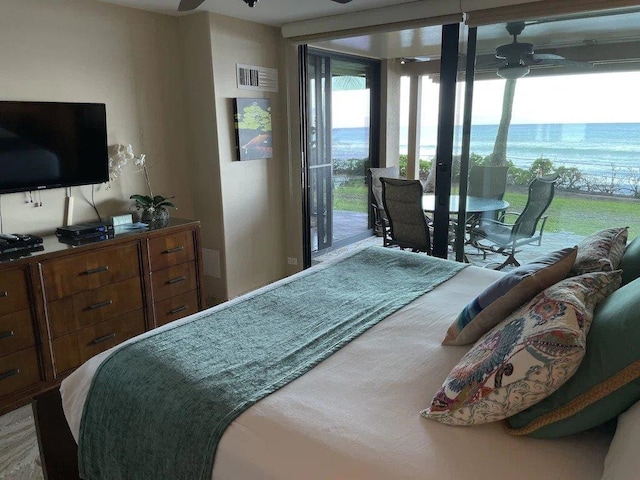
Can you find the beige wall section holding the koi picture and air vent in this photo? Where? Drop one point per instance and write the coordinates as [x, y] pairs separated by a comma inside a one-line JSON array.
[[252, 191]]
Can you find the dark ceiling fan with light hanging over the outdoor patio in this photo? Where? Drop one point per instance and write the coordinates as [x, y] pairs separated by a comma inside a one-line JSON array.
[[515, 59]]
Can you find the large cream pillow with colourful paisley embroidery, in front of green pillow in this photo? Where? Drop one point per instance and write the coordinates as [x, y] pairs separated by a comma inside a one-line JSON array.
[[526, 357]]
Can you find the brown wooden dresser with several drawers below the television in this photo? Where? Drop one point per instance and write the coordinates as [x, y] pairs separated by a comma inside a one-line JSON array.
[[63, 305]]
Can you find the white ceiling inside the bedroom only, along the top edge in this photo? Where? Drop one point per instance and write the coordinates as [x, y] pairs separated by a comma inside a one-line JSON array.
[[269, 12]]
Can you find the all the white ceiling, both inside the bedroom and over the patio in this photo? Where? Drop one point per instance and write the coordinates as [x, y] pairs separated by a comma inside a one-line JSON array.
[[417, 42]]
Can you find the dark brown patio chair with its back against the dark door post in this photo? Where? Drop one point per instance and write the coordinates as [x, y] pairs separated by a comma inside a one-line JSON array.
[[408, 225]]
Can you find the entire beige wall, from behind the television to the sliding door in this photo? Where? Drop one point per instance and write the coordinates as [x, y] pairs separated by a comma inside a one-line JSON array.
[[168, 84]]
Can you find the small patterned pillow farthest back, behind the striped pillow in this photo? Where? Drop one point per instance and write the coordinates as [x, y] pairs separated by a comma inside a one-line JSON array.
[[601, 251]]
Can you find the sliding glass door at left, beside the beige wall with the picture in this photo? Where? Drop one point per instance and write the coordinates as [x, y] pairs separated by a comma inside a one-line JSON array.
[[342, 98]]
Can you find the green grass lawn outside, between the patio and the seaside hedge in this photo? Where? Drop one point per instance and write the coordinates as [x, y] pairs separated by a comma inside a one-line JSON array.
[[572, 213]]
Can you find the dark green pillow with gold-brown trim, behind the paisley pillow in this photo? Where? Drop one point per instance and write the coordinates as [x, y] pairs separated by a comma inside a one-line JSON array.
[[607, 381]]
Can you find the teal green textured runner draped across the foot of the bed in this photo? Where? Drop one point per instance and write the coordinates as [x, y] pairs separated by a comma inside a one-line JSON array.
[[158, 407]]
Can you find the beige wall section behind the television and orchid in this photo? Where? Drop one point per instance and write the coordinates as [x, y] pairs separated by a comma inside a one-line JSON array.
[[85, 51]]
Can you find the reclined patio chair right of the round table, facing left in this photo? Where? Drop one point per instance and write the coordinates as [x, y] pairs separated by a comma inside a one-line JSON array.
[[505, 238]]
